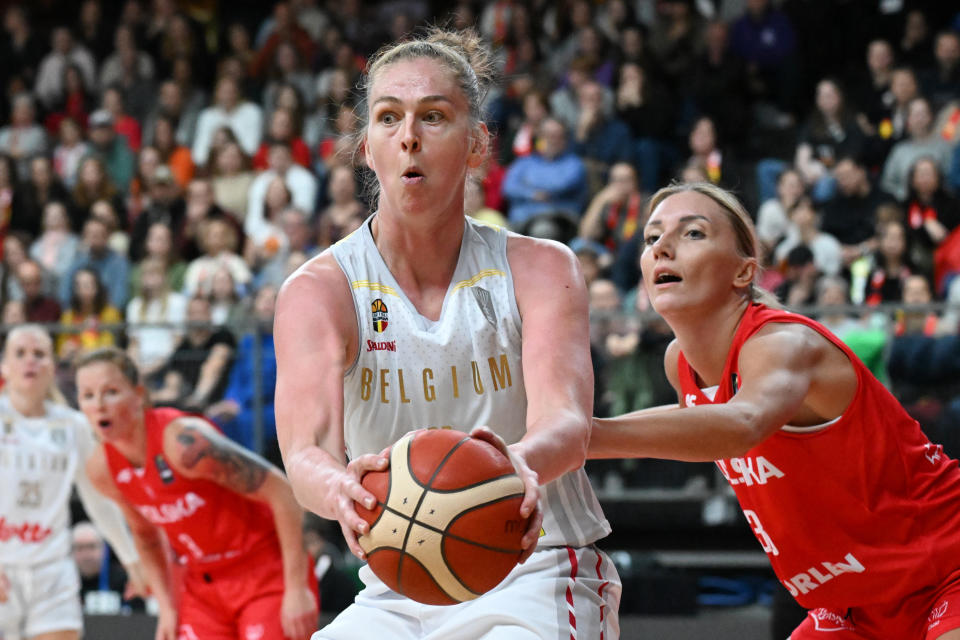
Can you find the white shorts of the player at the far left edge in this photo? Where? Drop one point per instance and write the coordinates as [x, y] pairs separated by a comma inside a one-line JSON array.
[[42, 598]]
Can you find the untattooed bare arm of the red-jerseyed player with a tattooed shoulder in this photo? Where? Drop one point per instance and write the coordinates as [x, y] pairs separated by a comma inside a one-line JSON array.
[[149, 542]]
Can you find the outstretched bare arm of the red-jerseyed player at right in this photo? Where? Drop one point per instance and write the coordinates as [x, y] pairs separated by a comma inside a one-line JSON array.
[[788, 372]]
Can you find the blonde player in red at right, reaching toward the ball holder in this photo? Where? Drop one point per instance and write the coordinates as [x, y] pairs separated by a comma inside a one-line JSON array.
[[857, 510]]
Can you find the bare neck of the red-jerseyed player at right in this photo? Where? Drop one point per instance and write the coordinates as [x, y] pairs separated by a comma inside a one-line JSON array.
[[705, 338]]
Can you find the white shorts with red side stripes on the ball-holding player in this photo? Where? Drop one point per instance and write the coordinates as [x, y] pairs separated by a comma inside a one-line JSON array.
[[559, 593]]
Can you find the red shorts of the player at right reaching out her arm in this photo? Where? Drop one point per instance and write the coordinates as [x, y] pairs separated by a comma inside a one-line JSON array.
[[926, 615]]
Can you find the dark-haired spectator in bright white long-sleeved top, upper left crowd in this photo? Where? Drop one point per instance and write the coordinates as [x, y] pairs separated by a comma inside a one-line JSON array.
[[244, 119]]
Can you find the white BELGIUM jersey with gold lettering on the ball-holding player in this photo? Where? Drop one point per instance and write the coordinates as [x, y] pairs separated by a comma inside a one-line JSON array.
[[460, 372]]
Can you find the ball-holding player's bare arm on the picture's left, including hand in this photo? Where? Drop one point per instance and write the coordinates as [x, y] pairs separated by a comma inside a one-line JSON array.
[[315, 333]]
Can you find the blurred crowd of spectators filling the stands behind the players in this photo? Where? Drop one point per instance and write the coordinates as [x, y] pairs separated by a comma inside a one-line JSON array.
[[165, 162]]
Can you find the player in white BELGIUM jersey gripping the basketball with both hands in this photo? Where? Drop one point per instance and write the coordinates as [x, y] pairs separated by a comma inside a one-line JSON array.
[[422, 318]]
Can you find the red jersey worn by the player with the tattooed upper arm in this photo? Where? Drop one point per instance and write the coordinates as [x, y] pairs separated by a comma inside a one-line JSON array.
[[205, 523]]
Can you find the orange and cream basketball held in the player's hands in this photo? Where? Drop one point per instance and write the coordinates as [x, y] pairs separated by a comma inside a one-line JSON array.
[[447, 524]]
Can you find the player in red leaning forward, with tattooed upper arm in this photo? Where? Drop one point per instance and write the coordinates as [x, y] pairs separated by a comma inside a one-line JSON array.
[[229, 516]]
